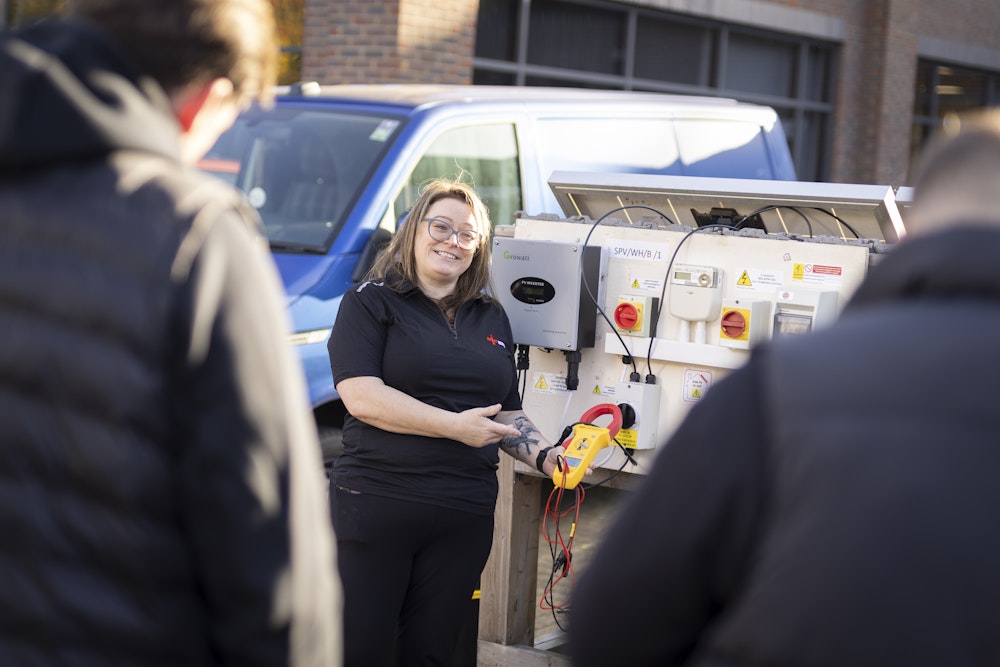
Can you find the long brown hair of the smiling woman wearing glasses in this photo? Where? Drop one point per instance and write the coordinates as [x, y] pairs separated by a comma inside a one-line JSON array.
[[399, 256]]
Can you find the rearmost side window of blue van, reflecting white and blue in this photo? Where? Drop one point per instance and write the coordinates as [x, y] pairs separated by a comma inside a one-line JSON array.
[[723, 148]]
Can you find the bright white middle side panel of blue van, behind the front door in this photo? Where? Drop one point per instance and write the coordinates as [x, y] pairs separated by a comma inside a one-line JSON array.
[[629, 145]]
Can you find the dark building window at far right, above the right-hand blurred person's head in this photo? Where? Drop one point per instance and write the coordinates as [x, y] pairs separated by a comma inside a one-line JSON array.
[[944, 89]]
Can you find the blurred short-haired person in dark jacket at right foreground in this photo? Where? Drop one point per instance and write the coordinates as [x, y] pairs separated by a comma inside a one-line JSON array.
[[833, 502]]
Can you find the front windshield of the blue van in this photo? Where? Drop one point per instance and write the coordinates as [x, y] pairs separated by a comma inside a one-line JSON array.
[[302, 169]]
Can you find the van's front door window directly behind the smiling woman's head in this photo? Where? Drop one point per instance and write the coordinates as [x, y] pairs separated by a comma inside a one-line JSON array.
[[489, 157]]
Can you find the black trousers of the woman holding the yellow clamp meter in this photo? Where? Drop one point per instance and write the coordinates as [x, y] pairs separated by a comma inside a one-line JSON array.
[[408, 571]]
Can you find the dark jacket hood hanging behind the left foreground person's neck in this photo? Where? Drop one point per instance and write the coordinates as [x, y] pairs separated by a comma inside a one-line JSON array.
[[67, 93]]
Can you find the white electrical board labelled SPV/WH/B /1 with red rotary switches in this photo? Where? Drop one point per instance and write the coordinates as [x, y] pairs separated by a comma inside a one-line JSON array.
[[684, 307]]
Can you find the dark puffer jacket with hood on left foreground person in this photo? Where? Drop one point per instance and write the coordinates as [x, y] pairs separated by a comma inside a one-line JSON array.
[[159, 469]]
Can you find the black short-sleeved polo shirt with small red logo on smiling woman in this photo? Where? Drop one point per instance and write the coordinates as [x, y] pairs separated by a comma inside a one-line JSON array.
[[405, 339]]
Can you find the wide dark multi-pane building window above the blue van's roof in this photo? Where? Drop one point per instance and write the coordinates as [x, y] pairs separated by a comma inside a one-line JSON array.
[[597, 44]]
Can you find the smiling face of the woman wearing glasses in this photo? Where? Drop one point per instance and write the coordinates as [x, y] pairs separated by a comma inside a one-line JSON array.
[[440, 263]]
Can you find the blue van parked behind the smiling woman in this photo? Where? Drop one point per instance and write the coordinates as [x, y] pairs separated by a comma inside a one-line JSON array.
[[331, 169]]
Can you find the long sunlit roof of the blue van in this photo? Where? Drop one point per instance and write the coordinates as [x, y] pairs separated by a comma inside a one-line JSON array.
[[419, 95]]
